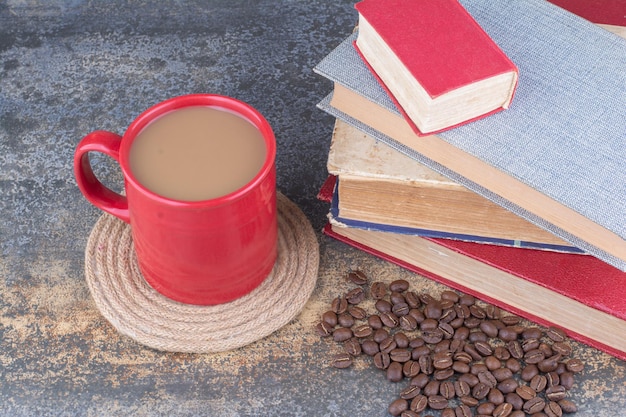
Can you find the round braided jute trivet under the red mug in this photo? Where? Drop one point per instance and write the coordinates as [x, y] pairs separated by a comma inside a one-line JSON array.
[[138, 311]]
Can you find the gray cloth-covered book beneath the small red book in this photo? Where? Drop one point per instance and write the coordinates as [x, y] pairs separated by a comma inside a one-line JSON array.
[[563, 138]]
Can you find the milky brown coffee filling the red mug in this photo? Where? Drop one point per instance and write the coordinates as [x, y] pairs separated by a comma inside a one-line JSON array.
[[197, 153]]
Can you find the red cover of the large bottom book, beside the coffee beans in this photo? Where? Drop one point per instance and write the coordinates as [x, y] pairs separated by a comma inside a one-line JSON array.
[[580, 277]]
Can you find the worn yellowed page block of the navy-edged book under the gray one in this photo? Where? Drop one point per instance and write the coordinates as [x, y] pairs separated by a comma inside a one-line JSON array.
[[380, 185]]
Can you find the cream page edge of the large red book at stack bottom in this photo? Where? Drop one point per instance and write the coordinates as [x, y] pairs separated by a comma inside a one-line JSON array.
[[489, 281]]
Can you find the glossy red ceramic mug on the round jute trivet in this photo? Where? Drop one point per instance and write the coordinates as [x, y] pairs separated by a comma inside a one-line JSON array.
[[197, 252]]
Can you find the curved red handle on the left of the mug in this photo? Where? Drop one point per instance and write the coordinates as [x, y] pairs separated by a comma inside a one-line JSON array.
[[100, 196]]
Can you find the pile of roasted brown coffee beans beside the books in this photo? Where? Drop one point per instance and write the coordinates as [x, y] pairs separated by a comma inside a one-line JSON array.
[[461, 357]]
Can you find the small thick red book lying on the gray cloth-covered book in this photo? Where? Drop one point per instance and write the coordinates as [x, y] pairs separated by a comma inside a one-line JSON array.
[[440, 67]]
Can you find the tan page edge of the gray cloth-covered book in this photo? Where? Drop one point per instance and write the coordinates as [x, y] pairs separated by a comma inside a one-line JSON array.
[[479, 172]]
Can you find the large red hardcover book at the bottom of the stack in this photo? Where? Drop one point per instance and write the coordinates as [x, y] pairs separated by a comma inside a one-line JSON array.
[[577, 293]]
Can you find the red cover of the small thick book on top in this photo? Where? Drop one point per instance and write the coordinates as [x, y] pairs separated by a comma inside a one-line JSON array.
[[439, 42]]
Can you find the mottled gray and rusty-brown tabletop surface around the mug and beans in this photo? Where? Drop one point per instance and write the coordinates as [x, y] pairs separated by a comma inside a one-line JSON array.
[[70, 67]]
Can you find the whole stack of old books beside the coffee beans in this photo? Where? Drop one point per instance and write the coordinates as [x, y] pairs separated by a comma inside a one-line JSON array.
[[522, 203]]
